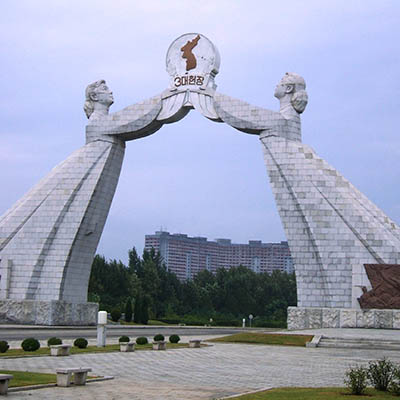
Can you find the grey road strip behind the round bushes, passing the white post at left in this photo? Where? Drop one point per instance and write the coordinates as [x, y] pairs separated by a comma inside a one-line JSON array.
[[15, 332]]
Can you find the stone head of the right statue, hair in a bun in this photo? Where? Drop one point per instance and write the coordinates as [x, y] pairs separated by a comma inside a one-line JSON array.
[[293, 86]]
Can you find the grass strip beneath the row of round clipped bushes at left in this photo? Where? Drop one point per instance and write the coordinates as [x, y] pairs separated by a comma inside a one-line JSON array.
[[90, 349]]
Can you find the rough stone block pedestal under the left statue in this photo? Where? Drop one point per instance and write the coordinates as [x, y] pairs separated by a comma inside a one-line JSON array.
[[34, 312]]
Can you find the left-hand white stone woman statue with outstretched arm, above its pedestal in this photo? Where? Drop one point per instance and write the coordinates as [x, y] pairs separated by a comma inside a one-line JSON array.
[[49, 237]]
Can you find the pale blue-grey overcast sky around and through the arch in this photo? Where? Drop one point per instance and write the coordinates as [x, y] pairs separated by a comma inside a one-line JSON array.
[[196, 176]]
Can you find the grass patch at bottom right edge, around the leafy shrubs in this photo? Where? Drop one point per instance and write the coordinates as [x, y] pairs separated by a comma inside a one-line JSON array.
[[314, 394]]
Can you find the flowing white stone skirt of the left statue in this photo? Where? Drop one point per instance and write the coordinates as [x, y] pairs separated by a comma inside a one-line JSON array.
[[49, 237]]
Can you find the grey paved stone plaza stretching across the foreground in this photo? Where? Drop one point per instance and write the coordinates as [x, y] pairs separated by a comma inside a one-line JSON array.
[[205, 373]]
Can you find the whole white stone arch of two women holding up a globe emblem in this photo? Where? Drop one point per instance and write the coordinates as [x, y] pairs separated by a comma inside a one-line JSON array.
[[336, 235]]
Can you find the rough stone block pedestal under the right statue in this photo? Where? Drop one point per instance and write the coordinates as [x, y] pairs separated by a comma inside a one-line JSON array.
[[320, 317]]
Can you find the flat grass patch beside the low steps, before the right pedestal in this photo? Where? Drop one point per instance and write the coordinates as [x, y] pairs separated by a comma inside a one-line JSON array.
[[265, 338]]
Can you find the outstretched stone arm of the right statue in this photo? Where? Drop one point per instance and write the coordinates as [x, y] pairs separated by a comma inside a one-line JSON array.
[[246, 117]]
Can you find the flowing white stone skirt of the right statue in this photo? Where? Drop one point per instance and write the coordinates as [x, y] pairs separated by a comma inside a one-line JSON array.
[[331, 227]]
